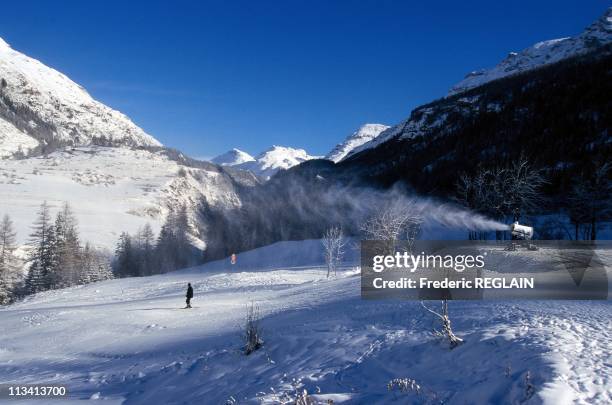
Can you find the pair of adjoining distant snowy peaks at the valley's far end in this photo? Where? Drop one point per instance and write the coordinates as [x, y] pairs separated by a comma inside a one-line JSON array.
[[267, 163]]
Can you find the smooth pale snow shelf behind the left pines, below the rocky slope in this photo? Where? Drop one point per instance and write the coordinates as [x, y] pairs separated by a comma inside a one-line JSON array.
[[110, 189]]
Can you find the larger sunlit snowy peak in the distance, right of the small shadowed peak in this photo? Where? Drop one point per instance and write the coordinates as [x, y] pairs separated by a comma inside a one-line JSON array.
[[274, 159]]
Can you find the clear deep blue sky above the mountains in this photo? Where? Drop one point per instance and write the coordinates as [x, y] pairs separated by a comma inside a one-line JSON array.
[[207, 76]]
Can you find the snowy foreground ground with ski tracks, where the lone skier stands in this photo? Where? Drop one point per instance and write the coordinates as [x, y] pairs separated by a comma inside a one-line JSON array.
[[128, 341]]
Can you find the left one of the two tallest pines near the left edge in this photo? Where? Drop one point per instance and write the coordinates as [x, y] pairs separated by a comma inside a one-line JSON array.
[[41, 253]]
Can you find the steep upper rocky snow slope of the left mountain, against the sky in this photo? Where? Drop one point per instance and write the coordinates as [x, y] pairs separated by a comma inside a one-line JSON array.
[[39, 105]]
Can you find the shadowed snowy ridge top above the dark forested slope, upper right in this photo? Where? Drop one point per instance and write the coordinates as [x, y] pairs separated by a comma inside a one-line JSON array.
[[543, 53]]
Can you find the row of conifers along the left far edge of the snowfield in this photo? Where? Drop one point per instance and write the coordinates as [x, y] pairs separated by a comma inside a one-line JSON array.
[[56, 258]]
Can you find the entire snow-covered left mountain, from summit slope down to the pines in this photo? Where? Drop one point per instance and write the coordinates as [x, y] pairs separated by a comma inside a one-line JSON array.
[[59, 144]]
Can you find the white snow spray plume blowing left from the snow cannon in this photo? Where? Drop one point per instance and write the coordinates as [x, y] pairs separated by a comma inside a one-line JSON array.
[[297, 209]]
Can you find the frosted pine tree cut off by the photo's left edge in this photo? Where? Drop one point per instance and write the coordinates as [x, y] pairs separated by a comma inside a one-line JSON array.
[[9, 267]]
